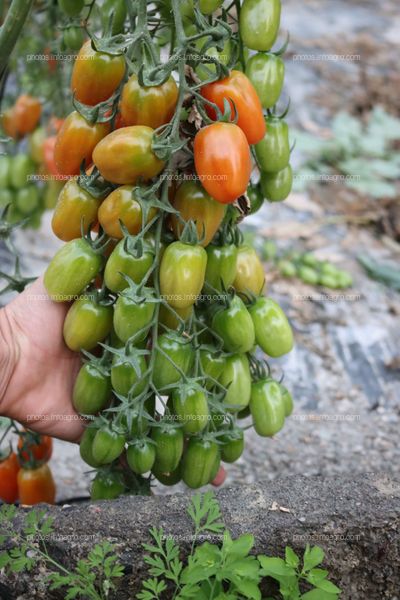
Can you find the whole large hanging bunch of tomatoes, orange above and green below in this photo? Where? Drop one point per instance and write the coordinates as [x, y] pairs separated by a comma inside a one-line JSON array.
[[167, 303]]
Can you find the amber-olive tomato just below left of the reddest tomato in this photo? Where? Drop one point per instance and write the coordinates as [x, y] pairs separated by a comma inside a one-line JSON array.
[[195, 204]]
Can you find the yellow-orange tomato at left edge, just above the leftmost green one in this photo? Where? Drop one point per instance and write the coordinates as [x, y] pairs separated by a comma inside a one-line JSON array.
[[75, 211]]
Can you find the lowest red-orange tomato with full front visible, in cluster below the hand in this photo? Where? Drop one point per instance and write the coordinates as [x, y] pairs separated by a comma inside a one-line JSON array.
[[36, 486]]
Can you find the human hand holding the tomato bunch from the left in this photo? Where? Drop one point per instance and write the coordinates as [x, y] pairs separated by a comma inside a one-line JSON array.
[[37, 370]]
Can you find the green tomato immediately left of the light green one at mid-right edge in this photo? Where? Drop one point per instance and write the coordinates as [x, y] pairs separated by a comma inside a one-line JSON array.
[[235, 326]]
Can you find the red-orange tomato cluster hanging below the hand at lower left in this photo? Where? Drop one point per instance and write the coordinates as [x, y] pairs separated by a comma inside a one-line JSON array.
[[25, 474]]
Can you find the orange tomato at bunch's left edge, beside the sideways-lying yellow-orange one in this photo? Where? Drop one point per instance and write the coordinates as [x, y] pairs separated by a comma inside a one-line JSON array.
[[76, 141]]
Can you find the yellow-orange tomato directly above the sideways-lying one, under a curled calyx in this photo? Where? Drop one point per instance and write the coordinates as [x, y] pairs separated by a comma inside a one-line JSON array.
[[152, 106]]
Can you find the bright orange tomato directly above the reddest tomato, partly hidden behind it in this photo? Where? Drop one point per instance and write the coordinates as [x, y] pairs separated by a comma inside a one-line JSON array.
[[238, 90]]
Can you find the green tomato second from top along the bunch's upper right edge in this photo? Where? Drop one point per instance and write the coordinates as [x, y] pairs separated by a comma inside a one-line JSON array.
[[266, 72]]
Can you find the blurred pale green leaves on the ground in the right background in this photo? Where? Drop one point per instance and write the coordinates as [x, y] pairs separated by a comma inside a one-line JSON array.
[[363, 156]]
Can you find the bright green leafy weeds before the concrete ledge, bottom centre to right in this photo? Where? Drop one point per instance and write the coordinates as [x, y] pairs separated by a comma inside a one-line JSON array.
[[228, 571]]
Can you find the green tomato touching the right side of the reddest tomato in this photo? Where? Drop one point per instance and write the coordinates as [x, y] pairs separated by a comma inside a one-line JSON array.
[[273, 152]]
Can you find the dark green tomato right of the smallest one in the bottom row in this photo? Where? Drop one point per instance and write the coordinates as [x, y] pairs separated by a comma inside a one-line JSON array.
[[169, 446]]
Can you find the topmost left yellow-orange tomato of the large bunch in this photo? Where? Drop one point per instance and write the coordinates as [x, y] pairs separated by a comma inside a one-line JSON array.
[[96, 75]]
